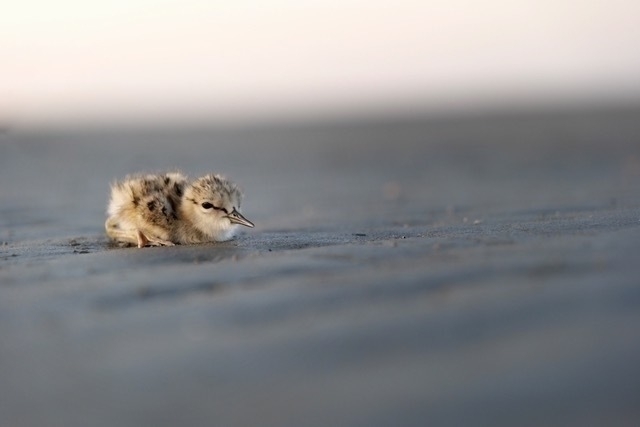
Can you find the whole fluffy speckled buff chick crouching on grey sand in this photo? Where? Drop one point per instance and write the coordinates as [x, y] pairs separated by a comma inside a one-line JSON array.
[[164, 209]]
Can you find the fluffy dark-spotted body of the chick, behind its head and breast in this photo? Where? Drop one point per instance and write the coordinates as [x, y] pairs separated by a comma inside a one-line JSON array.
[[143, 208]]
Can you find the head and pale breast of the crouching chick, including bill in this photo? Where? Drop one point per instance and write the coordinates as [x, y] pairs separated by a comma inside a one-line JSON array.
[[210, 211]]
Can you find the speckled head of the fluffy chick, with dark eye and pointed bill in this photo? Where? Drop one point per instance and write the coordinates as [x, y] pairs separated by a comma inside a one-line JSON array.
[[213, 203]]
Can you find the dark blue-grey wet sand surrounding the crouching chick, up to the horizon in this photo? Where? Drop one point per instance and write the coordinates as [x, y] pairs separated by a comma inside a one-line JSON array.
[[472, 271]]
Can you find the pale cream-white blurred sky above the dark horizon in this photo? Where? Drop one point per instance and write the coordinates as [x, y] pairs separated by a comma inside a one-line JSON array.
[[68, 61]]
